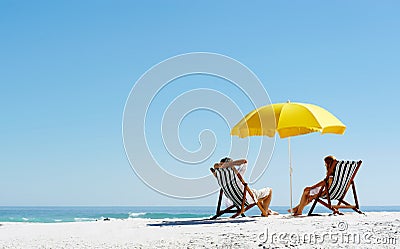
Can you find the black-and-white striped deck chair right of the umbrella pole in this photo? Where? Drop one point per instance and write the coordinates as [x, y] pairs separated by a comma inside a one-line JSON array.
[[343, 174]]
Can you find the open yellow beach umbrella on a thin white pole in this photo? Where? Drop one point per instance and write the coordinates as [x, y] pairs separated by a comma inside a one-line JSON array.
[[288, 119]]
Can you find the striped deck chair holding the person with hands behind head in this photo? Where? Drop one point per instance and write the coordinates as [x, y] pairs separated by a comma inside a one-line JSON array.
[[235, 190]]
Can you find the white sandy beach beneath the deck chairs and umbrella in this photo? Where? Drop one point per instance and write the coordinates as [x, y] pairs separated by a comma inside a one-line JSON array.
[[352, 230]]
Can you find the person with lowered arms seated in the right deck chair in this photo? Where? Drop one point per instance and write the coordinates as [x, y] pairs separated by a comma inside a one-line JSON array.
[[310, 193]]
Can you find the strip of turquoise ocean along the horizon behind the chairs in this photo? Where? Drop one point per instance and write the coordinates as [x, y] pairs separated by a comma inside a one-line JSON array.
[[54, 214]]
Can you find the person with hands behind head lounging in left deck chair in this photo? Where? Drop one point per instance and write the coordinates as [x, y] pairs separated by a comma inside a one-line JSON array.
[[263, 195]]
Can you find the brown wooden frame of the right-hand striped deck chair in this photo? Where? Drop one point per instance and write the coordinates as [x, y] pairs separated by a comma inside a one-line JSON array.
[[341, 202]]
